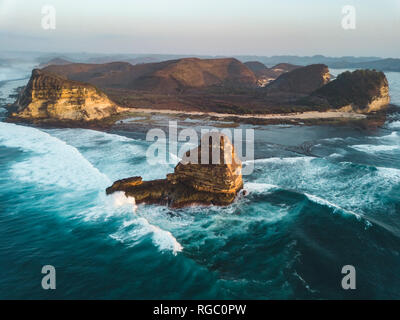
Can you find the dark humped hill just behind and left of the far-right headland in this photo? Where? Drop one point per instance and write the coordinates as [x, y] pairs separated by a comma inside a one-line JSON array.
[[304, 80]]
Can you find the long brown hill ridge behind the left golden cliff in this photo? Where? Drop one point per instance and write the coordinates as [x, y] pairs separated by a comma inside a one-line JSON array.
[[163, 77]]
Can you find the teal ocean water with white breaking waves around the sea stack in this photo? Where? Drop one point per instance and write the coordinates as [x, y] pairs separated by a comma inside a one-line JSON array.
[[320, 197]]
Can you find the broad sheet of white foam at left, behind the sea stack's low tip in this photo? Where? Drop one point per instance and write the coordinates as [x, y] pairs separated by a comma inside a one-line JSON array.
[[51, 161]]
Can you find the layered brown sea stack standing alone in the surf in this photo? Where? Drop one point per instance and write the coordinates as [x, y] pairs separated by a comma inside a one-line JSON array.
[[209, 175]]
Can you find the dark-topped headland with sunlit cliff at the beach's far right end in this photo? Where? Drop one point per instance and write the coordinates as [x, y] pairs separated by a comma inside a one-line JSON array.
[[361, 91]]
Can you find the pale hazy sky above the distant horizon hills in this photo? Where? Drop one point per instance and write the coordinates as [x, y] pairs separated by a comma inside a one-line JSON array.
[[213, 27]]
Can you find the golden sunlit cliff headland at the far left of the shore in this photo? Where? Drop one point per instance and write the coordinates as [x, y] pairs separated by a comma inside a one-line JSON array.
[[51, 97]]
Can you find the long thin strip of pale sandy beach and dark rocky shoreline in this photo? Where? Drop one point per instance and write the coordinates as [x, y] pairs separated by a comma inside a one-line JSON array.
[[308, 118]]
